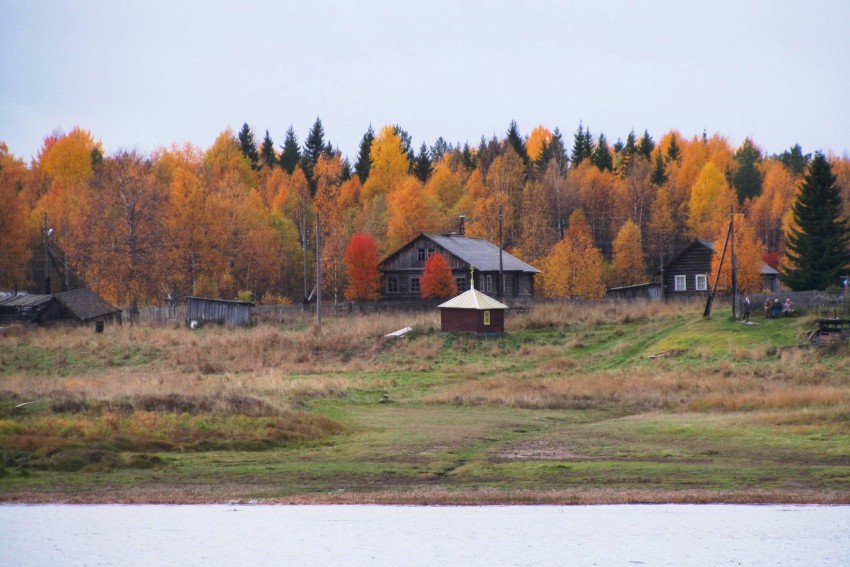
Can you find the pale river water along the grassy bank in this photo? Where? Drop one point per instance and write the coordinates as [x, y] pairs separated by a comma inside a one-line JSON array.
[[680, 535]]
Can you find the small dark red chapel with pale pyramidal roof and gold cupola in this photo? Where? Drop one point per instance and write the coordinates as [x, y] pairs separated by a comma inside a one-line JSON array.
[[473, 312]]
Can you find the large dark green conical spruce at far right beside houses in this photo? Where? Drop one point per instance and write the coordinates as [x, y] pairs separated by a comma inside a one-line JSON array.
[[817, 246]]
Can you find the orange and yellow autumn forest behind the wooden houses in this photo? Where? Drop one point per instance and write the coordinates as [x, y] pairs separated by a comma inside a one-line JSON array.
[[238, 219]]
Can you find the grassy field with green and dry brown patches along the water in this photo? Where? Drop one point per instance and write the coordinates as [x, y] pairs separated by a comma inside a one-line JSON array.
[[575, 404]]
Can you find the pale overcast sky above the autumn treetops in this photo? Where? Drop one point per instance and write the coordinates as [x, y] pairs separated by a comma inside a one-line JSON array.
[[153, 73]]
